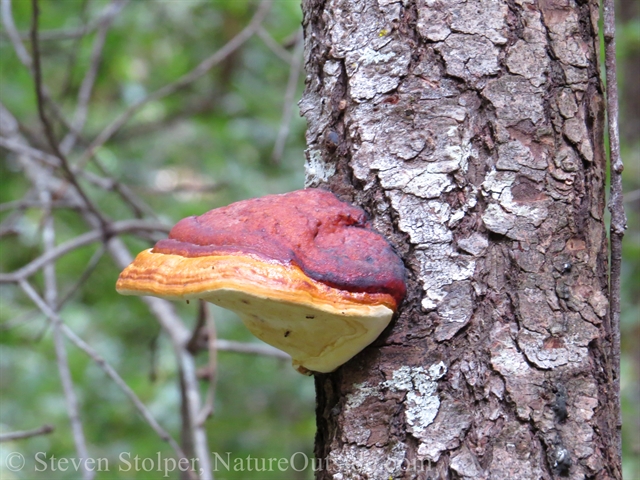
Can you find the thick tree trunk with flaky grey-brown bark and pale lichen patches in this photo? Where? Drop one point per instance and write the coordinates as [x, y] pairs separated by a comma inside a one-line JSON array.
[[472, 133]]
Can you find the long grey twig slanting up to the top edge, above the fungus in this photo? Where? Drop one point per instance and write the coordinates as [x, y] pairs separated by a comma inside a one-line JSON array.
[[235, 43]]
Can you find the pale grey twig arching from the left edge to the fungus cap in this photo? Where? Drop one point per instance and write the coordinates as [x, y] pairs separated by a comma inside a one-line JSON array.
[[116, 228]]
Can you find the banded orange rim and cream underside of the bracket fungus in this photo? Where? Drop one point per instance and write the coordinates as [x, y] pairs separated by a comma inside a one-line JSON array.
[[321, 327]]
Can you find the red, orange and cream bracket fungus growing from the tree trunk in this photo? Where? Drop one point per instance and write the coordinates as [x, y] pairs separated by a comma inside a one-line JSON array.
[[303, 270]]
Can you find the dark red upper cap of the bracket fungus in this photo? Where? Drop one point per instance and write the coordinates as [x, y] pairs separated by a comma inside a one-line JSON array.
[[329, 240]]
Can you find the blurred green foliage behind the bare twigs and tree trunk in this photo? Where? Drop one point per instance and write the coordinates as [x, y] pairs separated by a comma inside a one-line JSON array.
[[205, 146]]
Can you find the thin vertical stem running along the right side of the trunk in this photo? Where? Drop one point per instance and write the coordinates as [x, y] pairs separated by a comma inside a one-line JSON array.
[[616, 206]]
